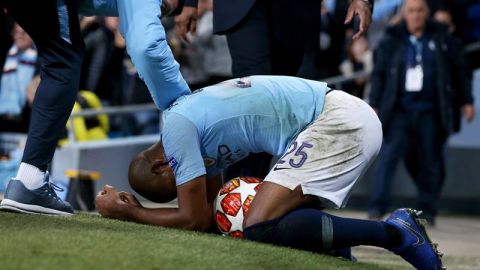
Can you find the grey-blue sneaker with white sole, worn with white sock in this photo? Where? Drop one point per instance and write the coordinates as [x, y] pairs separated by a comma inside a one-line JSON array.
[[42, 200]]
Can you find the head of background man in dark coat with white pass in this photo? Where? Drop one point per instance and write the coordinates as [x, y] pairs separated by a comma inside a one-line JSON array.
[[415, 13]]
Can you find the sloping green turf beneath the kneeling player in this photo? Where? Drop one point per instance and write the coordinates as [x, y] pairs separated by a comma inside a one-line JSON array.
[[90, 242]]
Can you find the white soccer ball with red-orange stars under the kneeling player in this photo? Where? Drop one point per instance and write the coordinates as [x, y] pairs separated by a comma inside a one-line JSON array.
[[232, 203]]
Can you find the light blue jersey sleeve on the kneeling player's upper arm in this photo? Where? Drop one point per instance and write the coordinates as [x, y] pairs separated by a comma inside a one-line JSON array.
[[181, 142]]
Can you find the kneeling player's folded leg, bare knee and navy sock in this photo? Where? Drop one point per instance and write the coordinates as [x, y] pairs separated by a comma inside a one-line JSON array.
[[279, 216]]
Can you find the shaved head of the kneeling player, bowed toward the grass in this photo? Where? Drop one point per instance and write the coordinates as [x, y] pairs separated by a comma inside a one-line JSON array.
[[150, 175]]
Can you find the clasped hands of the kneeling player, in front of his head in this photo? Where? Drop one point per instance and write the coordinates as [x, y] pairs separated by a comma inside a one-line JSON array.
[[109, 203]]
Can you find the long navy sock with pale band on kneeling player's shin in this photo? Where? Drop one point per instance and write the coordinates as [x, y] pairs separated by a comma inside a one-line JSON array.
[[315, 230]]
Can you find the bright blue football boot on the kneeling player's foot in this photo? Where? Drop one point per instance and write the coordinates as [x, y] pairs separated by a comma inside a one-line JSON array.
[[416, 248]]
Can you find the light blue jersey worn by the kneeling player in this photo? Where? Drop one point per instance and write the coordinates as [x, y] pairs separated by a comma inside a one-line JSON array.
[[221, 124]]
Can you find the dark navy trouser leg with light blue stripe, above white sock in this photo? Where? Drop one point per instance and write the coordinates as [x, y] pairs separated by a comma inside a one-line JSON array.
[[53, 26]]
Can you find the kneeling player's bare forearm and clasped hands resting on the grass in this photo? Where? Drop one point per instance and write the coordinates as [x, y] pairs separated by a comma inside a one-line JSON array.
[[194, 212]]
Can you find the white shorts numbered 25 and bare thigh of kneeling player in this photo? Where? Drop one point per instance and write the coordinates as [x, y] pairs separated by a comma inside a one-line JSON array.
[[323, 162]]
